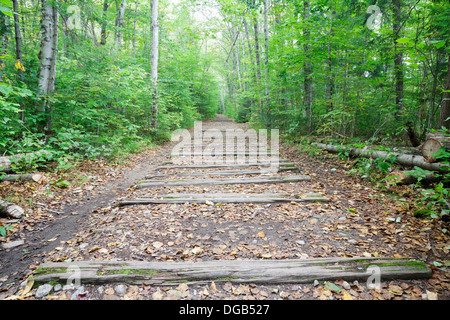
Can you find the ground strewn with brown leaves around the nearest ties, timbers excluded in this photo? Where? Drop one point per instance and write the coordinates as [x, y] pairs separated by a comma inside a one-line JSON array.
[[83, 222]]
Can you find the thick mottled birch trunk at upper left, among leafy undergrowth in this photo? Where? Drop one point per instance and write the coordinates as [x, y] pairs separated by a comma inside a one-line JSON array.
[[47, 61]]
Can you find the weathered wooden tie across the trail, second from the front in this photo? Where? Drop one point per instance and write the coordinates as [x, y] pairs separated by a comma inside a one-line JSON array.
[[209, 198]]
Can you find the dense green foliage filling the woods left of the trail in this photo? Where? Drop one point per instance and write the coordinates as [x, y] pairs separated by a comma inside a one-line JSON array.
[[102, 103]]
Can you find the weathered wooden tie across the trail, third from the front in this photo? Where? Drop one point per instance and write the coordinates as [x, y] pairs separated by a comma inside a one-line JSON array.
[[210, 182]]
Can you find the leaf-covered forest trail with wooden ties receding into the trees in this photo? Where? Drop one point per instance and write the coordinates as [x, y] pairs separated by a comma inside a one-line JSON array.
[[217, 215]]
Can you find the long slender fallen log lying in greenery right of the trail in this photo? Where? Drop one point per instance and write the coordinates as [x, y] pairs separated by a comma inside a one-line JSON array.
[[403, 159]]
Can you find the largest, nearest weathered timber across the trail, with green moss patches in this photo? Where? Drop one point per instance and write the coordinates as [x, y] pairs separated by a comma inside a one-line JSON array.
[[236, 271]]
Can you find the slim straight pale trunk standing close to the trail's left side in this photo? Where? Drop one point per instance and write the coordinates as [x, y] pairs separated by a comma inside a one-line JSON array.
[[154, 62]]
